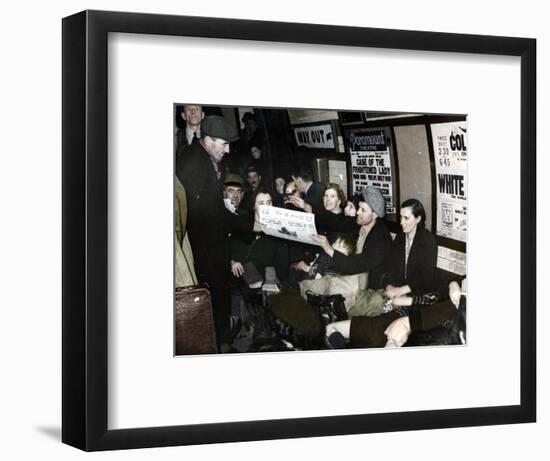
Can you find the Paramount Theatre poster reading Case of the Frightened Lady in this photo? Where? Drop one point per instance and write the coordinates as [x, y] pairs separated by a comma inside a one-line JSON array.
[[371, 164]]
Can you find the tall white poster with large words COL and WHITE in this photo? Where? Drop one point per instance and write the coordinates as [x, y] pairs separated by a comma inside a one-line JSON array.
[[450, 152]]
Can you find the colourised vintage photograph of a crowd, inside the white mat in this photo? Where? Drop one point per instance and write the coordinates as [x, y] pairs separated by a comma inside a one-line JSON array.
[[306, 229]]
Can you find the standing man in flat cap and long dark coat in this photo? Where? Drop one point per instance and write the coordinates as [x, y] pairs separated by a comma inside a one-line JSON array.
[[209, 222]]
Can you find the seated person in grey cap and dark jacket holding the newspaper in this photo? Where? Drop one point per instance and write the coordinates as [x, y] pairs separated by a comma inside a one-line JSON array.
[[373, 243]]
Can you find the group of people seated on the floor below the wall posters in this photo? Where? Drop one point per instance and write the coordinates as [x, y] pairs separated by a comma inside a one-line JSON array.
[[387, 280]]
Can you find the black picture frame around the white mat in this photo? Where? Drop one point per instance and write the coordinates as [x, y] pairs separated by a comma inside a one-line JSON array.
[[85, 230]]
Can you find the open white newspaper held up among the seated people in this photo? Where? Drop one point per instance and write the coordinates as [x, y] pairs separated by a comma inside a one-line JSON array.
[[288, 224]]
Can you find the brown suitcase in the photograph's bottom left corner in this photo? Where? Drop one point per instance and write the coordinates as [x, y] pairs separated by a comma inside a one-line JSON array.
[[195, 332]]
